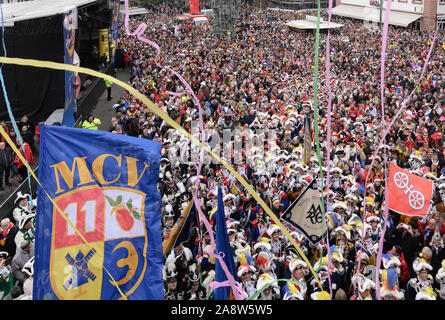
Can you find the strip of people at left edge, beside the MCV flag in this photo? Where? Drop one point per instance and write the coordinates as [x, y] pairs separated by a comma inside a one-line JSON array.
[[17, 229]]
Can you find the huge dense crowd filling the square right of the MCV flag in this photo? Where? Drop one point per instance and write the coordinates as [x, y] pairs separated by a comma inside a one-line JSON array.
[[261, 78]]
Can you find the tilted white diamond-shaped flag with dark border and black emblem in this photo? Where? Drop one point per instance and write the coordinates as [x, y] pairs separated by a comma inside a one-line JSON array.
[[305, 214]]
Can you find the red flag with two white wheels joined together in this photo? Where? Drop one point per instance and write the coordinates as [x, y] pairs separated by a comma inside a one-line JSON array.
[[408, 193]]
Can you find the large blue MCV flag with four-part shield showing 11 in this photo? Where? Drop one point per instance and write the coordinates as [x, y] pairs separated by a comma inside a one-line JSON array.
[[106, 242]]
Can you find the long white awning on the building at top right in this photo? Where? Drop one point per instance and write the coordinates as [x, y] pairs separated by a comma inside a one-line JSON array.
[[372, 14]]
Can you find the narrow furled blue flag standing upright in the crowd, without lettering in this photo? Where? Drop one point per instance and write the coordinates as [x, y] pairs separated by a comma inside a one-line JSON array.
[[223, 245]]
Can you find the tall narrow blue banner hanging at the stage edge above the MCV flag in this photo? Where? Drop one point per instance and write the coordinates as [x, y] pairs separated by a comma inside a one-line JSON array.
[[68, 40]]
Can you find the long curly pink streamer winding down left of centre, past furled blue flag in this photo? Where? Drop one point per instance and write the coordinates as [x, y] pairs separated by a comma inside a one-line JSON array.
[[236, 286]]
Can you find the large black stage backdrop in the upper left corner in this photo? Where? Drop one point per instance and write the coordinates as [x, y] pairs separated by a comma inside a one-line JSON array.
[[36, 92]]
